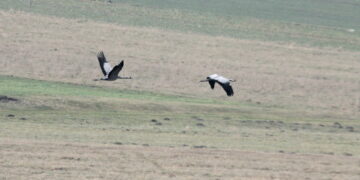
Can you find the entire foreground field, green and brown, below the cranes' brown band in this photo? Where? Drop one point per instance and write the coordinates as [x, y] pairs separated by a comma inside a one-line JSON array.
[[77, 125]]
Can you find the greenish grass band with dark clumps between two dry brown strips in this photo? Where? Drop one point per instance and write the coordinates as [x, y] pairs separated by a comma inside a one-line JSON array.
[[55, 111]]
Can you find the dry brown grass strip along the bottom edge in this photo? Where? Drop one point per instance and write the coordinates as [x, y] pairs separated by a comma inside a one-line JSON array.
[[22, 159]]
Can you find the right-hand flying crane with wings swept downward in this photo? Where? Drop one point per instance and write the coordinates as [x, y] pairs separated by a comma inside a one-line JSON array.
[[224, 82]]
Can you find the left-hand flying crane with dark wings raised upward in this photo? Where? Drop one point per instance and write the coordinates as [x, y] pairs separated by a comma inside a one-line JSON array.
[[110, 74]]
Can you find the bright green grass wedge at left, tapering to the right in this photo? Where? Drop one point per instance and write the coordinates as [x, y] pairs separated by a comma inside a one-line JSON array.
[[30, 87]]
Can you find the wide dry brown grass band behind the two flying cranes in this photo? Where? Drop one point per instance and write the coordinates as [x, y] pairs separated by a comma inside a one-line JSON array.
[[308, 80]]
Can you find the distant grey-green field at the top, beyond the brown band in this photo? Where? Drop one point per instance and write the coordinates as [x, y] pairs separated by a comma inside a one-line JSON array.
[[313, 23]]
